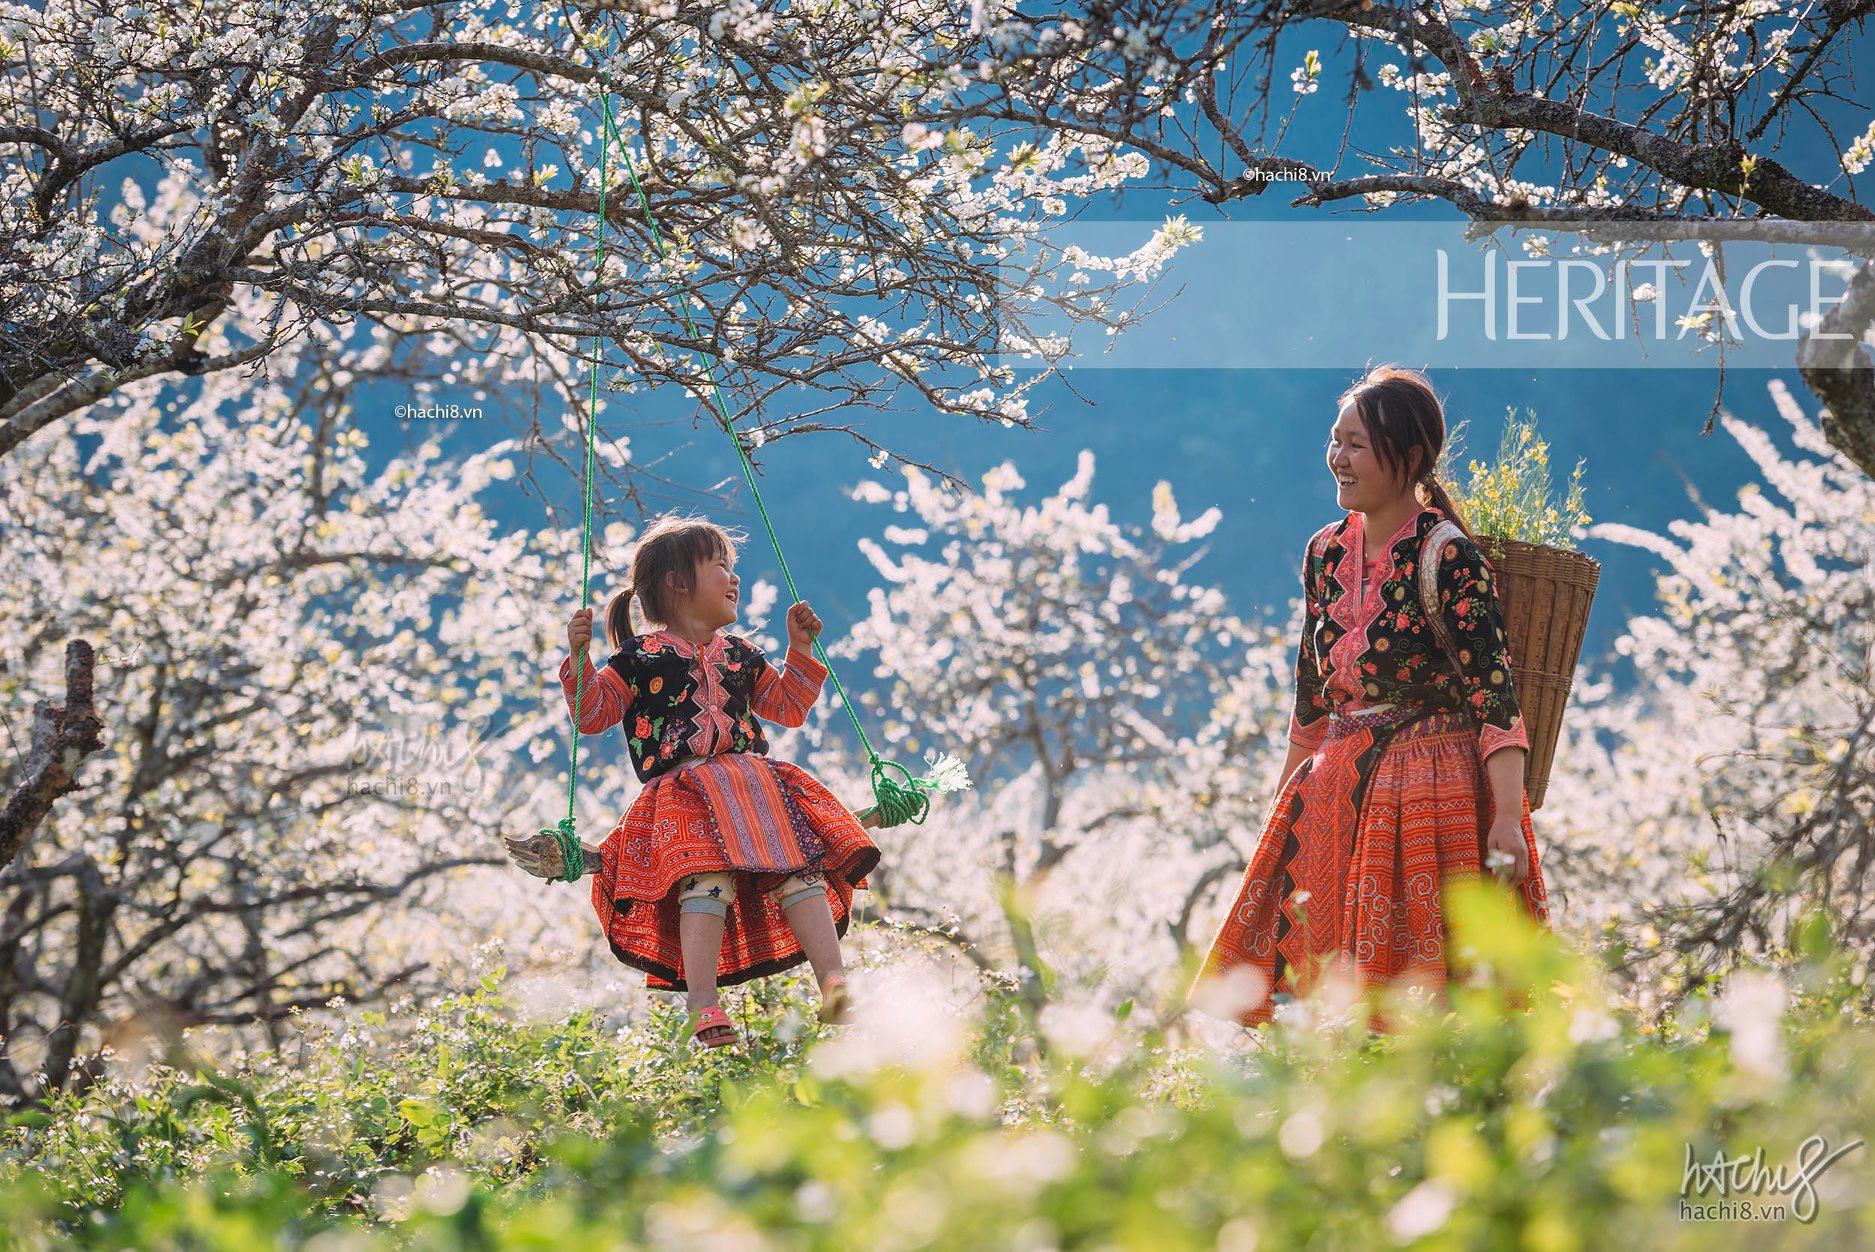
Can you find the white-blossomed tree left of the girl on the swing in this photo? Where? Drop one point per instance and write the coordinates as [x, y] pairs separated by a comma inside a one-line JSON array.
[[322, 693]]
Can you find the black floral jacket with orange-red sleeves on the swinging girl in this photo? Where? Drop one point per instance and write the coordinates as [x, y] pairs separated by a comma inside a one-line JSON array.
[[680, 700]]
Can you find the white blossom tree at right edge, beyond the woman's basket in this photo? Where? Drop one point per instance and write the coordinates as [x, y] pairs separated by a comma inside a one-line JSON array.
[[1726, 792]]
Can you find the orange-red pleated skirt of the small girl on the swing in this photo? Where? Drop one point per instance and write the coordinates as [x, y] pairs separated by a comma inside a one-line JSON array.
[[672, 833]]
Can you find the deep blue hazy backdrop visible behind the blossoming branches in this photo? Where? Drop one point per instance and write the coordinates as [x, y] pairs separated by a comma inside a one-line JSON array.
[[1242, 440]]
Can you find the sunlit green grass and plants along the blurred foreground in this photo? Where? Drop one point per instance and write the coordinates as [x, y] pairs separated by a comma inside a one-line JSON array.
[[1557, 1125]]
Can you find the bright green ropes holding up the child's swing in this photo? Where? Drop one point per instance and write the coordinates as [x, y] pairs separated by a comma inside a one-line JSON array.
[[897, 801]]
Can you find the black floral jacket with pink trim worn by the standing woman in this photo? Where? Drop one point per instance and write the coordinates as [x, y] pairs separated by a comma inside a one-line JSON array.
[[1381, 649]]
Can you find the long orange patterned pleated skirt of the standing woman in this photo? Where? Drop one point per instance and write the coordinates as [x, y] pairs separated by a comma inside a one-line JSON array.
[[1351, 867]]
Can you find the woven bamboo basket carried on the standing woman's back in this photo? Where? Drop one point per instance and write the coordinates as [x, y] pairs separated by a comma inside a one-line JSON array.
[[1546, 595]]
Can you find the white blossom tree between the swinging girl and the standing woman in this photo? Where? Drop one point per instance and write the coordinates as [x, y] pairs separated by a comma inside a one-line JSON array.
[[1105, 706]]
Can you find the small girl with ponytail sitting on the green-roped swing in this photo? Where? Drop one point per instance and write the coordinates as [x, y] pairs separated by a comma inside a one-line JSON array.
[[728, 865]]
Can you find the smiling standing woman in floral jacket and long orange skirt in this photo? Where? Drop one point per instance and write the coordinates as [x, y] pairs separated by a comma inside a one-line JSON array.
[[1407, 745]]
